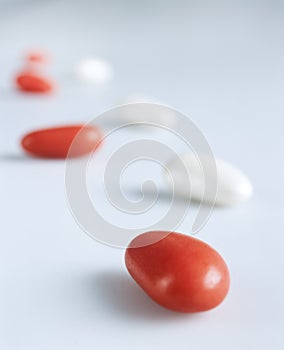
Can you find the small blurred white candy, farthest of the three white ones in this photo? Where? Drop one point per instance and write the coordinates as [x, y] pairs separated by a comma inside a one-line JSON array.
[[94, 70]]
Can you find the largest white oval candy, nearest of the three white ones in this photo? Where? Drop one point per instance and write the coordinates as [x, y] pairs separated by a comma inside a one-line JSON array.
[[233, 185]]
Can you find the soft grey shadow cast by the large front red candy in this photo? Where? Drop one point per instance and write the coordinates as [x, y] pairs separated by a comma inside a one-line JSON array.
[[118, 294]]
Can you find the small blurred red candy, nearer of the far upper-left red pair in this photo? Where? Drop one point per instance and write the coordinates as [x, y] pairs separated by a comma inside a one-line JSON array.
[[32, 82]]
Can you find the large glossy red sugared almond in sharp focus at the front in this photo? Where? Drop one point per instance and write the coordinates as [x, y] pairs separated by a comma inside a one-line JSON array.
[[179, 272]]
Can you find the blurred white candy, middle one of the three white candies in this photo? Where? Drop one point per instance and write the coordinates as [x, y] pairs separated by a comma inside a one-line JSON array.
[[165, 117]]
